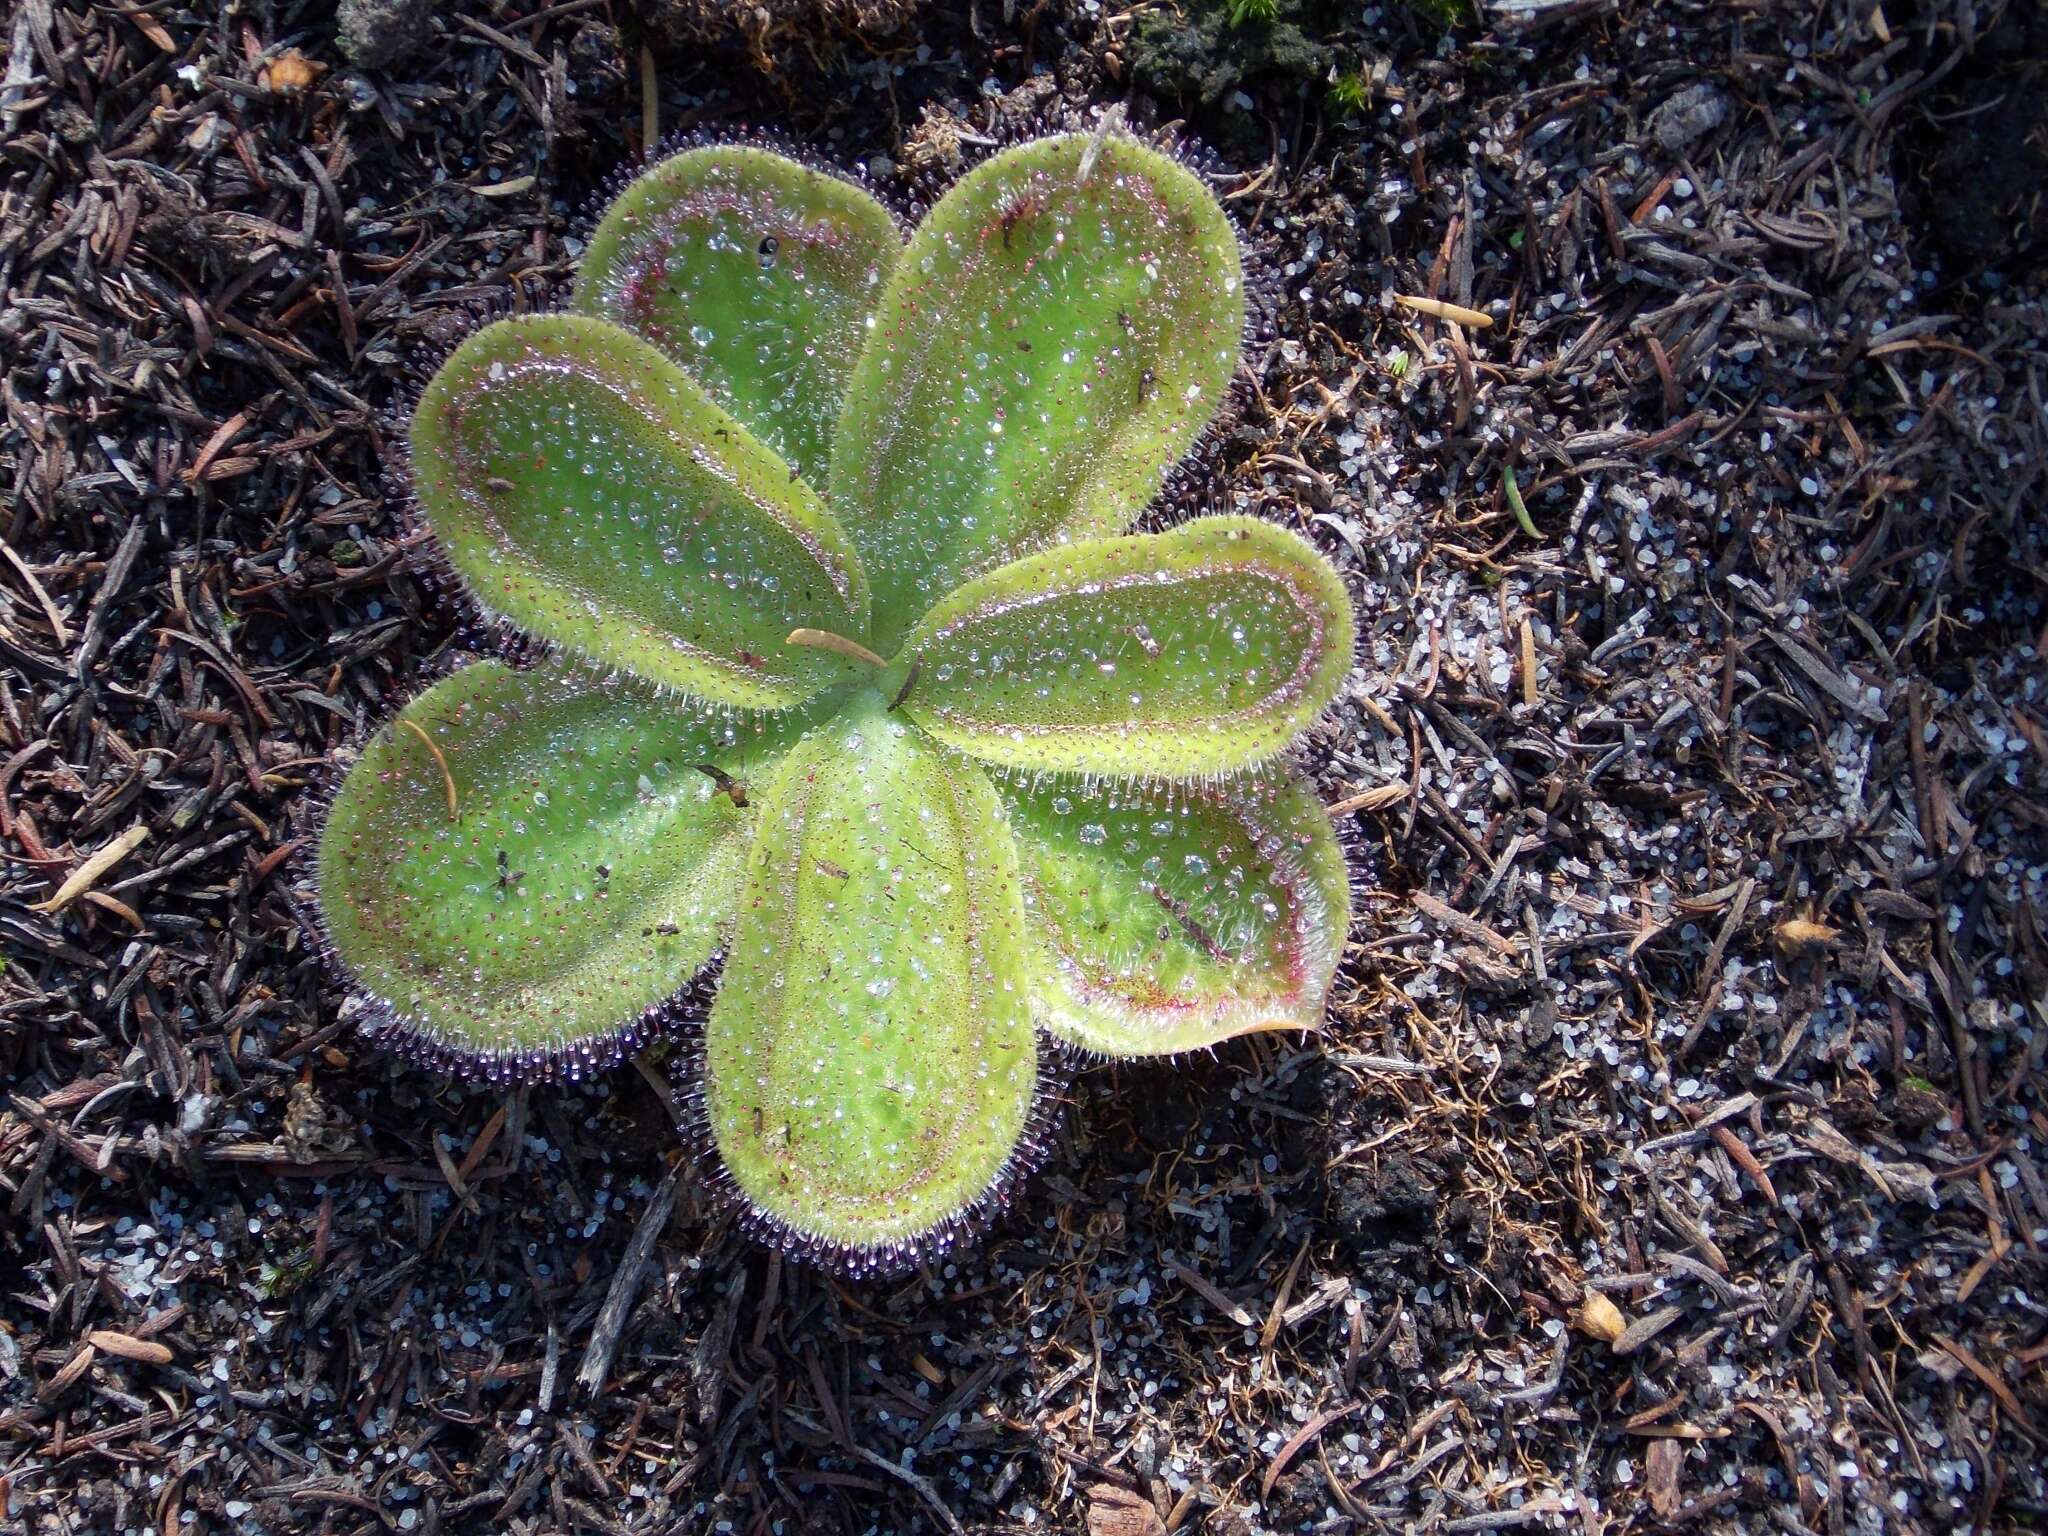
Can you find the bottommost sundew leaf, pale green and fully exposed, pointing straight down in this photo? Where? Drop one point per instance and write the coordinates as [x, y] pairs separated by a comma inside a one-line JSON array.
[[871, 1060]]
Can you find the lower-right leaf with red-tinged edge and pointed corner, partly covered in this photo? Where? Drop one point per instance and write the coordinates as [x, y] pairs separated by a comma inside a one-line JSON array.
[[1170, 919]]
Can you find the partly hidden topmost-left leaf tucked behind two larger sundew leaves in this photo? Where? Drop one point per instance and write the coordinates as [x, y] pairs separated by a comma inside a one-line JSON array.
[[757, 275]]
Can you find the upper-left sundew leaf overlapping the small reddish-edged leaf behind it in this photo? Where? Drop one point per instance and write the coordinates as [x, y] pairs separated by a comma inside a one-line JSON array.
[[595, 497]]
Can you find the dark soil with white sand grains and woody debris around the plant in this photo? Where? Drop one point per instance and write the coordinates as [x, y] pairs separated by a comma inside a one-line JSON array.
[[1672, 1158]]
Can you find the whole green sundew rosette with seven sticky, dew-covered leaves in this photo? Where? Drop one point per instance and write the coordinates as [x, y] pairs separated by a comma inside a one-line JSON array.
[[855, 675]]
